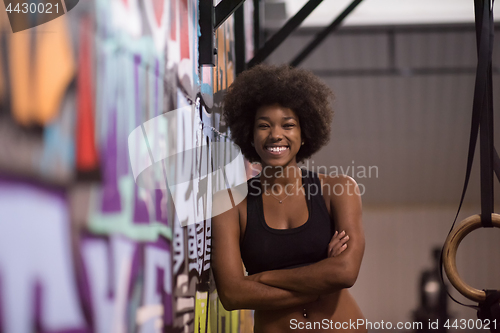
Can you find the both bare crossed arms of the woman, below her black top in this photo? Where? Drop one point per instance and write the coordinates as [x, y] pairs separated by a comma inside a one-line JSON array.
[[286, 288]]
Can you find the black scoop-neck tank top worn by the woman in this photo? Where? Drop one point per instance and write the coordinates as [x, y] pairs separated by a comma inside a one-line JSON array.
[[264, 248]]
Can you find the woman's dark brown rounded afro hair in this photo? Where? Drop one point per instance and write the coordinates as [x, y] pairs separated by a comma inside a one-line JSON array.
[[296, 89]]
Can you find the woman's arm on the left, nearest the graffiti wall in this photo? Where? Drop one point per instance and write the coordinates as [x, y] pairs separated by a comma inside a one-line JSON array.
[[234, 289]]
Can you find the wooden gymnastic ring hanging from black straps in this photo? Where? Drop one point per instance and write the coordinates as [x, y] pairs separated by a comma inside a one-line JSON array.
[[450, 255]]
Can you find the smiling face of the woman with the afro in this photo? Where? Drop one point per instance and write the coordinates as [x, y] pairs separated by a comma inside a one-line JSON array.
[[276, 135]]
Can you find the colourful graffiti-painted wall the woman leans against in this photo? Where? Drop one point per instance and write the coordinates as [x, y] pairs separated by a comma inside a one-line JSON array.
[[93, 236]]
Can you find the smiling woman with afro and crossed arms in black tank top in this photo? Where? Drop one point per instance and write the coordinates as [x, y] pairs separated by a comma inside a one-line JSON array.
[[298, 234]]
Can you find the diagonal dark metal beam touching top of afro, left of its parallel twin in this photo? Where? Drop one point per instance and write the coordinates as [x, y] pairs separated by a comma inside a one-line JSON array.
[[283, 33]]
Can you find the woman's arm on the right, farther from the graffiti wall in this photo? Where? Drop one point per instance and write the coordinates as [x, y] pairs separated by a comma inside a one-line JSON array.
[[333, 273]]
